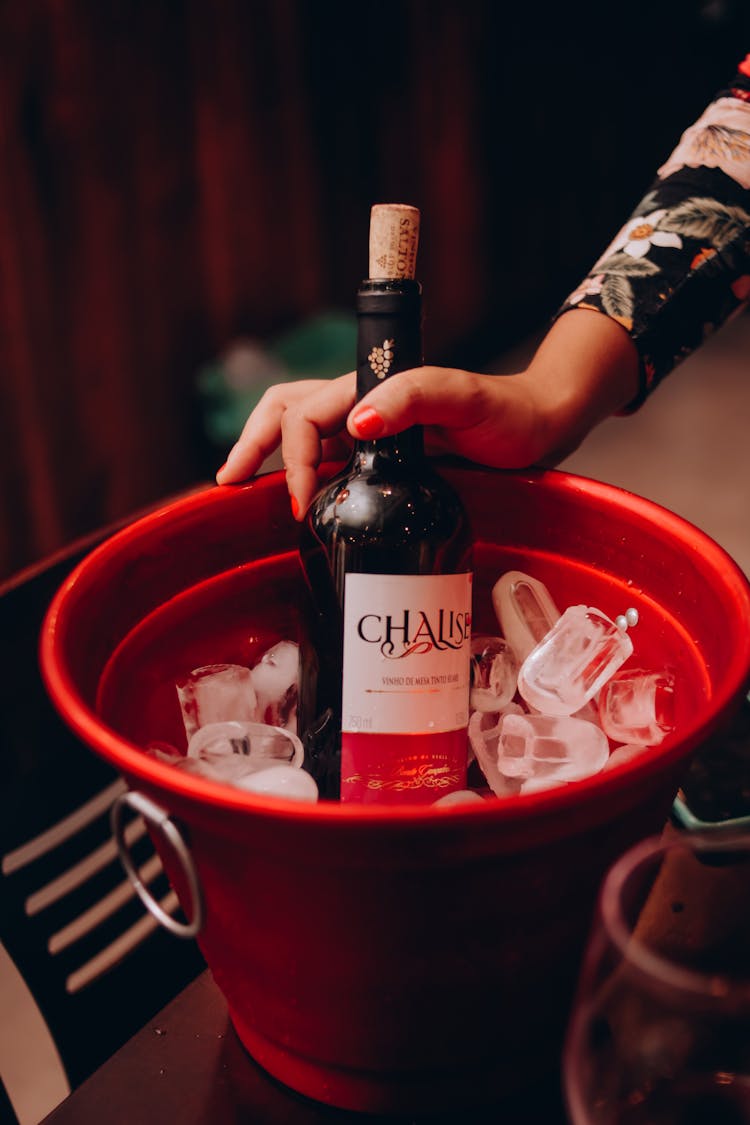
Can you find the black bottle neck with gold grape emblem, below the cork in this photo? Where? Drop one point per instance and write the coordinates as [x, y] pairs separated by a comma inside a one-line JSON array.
[[390, 340]]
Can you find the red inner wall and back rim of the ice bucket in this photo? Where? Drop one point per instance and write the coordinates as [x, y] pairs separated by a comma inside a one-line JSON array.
[[215, 579]]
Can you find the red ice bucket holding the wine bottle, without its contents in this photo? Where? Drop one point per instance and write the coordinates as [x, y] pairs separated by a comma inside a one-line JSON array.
[[393, 959]]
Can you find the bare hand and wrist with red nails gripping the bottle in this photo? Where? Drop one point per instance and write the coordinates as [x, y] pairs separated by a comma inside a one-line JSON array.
[[585, 370]]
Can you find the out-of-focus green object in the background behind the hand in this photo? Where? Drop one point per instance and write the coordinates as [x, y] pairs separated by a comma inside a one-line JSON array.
[[230, 388]]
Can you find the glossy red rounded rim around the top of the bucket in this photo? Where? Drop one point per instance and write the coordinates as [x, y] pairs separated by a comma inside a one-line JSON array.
[[132, 761]]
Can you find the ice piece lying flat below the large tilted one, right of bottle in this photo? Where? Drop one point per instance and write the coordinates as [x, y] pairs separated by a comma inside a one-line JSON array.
[[550, 748]]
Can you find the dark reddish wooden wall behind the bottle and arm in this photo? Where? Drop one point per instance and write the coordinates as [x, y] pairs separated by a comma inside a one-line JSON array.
[[175, 175]]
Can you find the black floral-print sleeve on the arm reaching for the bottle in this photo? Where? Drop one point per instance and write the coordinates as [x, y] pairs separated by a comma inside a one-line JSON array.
[[681, 266]]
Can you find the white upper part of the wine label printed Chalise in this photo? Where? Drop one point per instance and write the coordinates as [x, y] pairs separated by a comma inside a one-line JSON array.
[[408, 651]]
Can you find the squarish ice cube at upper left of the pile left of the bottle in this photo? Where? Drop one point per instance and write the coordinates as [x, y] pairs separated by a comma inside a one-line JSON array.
[[216, 694]]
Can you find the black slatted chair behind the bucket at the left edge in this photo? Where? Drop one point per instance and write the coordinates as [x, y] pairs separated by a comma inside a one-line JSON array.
[[75, 938]]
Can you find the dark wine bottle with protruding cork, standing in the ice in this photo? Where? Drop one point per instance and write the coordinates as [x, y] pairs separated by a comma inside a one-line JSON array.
[[386, 552]]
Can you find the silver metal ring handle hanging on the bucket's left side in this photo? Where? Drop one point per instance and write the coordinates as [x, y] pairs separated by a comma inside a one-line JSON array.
[[160, 821]]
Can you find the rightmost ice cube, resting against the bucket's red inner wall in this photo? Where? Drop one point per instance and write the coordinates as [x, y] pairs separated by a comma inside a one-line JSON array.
[[638, 707]]
